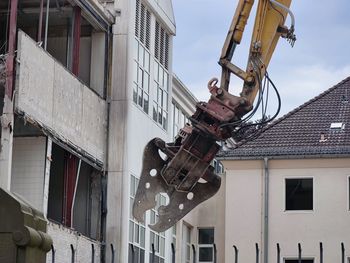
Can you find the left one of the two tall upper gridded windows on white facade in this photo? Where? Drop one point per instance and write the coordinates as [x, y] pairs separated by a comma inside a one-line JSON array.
[[142, 57]]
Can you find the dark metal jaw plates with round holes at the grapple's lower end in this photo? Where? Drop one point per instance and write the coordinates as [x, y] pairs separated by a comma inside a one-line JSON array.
[[184, 192]]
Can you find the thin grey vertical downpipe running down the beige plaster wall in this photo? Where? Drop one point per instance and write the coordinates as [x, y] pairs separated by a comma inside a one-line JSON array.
[[266, 209]]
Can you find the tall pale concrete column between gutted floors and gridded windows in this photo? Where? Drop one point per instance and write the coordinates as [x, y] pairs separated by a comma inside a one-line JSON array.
[[117, 186]]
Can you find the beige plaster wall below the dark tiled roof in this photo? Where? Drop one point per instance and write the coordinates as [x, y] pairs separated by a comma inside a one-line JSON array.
[[328, 222]]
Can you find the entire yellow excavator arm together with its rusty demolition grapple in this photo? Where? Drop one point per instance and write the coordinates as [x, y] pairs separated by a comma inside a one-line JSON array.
[[185, 174]]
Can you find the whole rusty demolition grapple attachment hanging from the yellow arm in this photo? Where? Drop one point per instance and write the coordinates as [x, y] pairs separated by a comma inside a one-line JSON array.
[[182, 169]]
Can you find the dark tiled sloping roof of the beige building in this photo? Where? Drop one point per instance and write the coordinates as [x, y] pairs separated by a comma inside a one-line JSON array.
[[304, 131]]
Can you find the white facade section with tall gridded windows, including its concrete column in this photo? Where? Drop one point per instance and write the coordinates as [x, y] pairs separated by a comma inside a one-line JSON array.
[[141, 105]]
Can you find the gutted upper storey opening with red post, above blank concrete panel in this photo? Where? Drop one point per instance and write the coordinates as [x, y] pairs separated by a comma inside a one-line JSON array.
[[74, 38]]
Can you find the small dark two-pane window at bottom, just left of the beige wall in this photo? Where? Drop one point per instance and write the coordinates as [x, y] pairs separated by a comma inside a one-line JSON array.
[[205, 245]]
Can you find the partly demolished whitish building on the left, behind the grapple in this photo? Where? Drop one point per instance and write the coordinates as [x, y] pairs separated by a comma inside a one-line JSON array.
[[88, 94]]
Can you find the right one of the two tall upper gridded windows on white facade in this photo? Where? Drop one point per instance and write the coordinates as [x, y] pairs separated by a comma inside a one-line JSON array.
[[161, 76]]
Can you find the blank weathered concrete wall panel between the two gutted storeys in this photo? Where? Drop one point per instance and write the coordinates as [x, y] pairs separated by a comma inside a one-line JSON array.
[[58, 101]]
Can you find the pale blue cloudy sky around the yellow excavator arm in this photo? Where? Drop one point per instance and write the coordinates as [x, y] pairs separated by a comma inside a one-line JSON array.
[[319, 59]]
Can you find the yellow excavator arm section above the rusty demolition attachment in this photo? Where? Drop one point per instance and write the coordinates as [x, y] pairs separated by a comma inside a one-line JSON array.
[[268, 28]]
